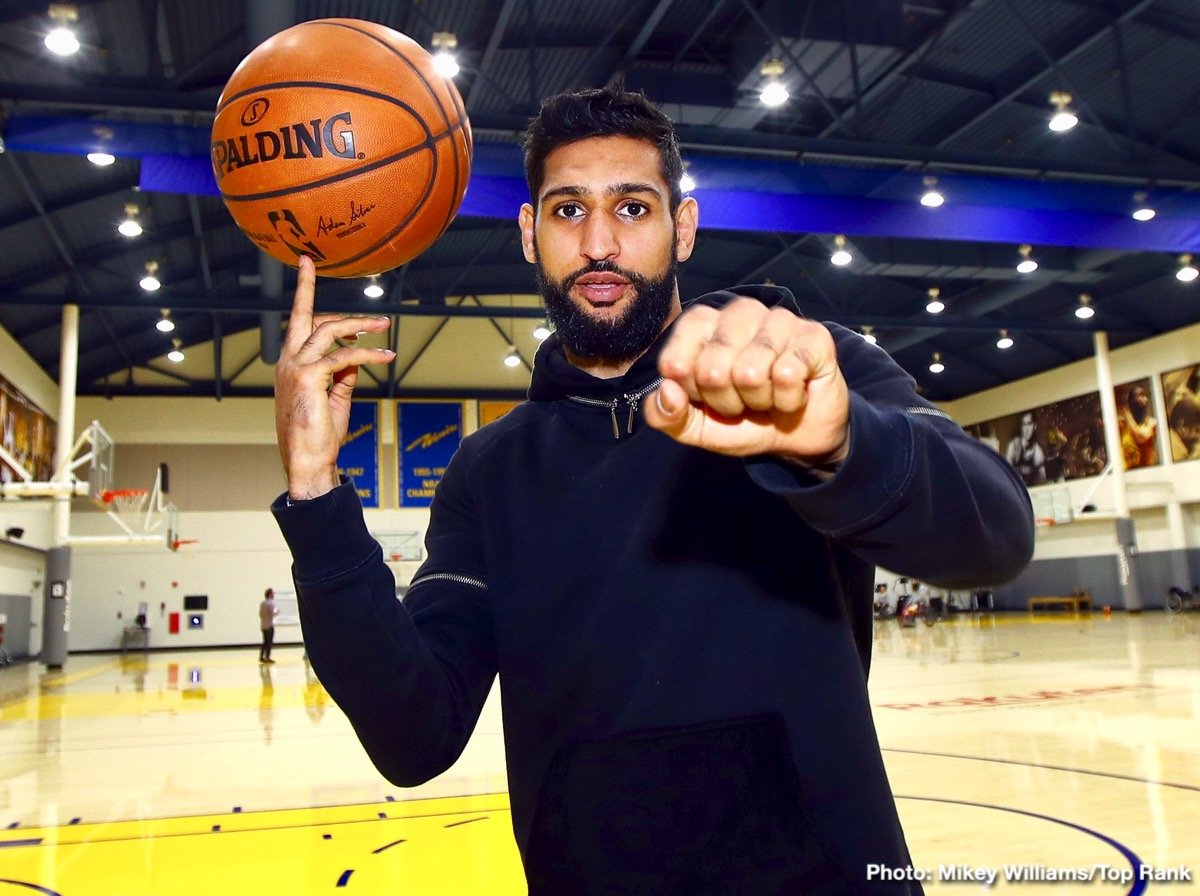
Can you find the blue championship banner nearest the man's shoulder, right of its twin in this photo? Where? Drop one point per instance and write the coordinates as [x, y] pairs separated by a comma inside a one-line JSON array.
[[428, 435]]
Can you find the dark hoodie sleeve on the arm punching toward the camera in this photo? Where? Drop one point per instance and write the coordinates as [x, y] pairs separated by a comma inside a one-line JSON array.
[[916, 495]]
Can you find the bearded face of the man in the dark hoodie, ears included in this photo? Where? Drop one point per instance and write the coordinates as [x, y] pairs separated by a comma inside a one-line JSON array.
[[607, 246]]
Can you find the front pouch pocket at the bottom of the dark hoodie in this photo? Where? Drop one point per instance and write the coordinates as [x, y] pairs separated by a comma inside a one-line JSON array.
[[704, 810]]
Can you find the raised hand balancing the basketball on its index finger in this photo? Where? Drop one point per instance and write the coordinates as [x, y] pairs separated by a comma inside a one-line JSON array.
[[315, 380]]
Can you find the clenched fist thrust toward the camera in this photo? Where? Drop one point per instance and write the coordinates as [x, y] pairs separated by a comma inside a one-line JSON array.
[[748, 380]]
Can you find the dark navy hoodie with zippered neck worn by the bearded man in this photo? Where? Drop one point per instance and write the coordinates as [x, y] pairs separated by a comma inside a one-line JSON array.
[[682, 638]]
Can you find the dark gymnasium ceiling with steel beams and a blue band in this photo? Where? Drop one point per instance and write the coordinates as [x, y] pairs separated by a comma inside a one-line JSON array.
[[884, 95]]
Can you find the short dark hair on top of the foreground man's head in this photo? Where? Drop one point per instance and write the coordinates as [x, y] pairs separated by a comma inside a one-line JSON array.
[[607, 112]]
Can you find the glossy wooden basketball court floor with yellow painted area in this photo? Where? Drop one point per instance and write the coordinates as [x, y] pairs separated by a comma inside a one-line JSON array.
[[1060, 754]]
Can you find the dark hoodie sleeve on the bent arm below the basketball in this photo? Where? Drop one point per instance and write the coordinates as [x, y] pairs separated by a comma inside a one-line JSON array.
[[411, 676]]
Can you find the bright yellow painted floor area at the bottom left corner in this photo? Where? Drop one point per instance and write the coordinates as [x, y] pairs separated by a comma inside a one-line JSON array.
[[452, 845]]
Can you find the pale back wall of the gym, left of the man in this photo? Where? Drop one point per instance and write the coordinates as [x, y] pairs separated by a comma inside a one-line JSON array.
[[224, 460]]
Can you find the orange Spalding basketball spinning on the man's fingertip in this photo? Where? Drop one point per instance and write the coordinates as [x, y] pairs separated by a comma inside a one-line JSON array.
[[338, 140]]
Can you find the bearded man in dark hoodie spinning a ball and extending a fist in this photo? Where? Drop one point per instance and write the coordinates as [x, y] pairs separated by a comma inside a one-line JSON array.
[[667, 554]]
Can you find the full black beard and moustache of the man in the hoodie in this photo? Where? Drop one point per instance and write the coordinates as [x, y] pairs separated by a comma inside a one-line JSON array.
[[622, 340]]
